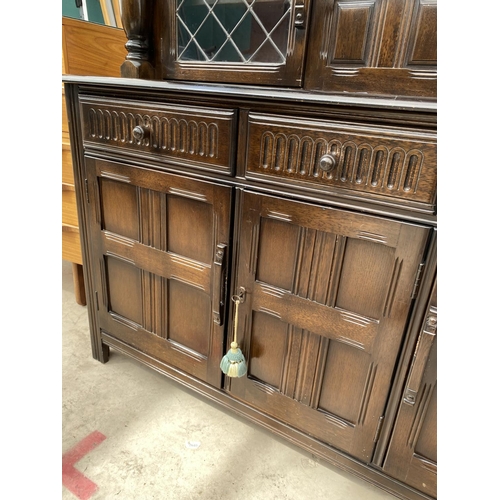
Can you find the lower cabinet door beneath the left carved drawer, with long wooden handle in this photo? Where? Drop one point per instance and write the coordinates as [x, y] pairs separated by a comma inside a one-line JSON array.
[[159, 245]]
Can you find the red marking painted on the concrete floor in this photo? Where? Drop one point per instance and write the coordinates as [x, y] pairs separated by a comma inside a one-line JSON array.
[[73, 479]]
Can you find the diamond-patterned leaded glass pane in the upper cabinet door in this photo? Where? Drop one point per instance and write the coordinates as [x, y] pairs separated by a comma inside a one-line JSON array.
[[235, 31]]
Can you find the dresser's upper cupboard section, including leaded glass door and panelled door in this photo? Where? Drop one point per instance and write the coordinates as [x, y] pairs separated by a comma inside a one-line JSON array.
[[375, 46]]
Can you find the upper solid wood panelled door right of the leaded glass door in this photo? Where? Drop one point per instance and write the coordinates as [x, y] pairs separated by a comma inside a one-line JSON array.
[[376, 46]]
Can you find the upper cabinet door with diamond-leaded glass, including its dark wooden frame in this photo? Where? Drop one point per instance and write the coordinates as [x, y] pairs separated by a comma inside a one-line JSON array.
[[235, 41]]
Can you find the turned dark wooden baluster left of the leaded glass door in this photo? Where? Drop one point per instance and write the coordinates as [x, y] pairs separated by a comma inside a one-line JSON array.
[[137, 23]]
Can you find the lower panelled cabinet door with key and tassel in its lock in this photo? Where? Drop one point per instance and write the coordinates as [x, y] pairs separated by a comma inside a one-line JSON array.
[[327, 295]]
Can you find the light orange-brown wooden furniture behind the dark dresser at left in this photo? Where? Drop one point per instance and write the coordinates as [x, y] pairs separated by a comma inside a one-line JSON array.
[[87, 49]]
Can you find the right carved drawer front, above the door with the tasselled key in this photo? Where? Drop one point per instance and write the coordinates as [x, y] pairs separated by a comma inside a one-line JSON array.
[[386, 165]]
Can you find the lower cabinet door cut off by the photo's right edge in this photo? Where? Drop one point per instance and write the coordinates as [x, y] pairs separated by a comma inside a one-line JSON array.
[[412, 455]]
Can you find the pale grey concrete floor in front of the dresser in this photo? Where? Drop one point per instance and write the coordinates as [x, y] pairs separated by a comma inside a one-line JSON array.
[[161, 441]]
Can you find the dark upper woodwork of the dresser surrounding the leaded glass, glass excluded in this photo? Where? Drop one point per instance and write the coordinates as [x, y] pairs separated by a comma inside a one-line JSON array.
[[375, 47]]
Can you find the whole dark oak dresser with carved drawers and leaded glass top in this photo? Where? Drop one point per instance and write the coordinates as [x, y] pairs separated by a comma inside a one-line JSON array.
[[283, 152]]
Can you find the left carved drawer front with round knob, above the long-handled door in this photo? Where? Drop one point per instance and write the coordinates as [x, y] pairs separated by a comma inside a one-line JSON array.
[[183, 135]]
